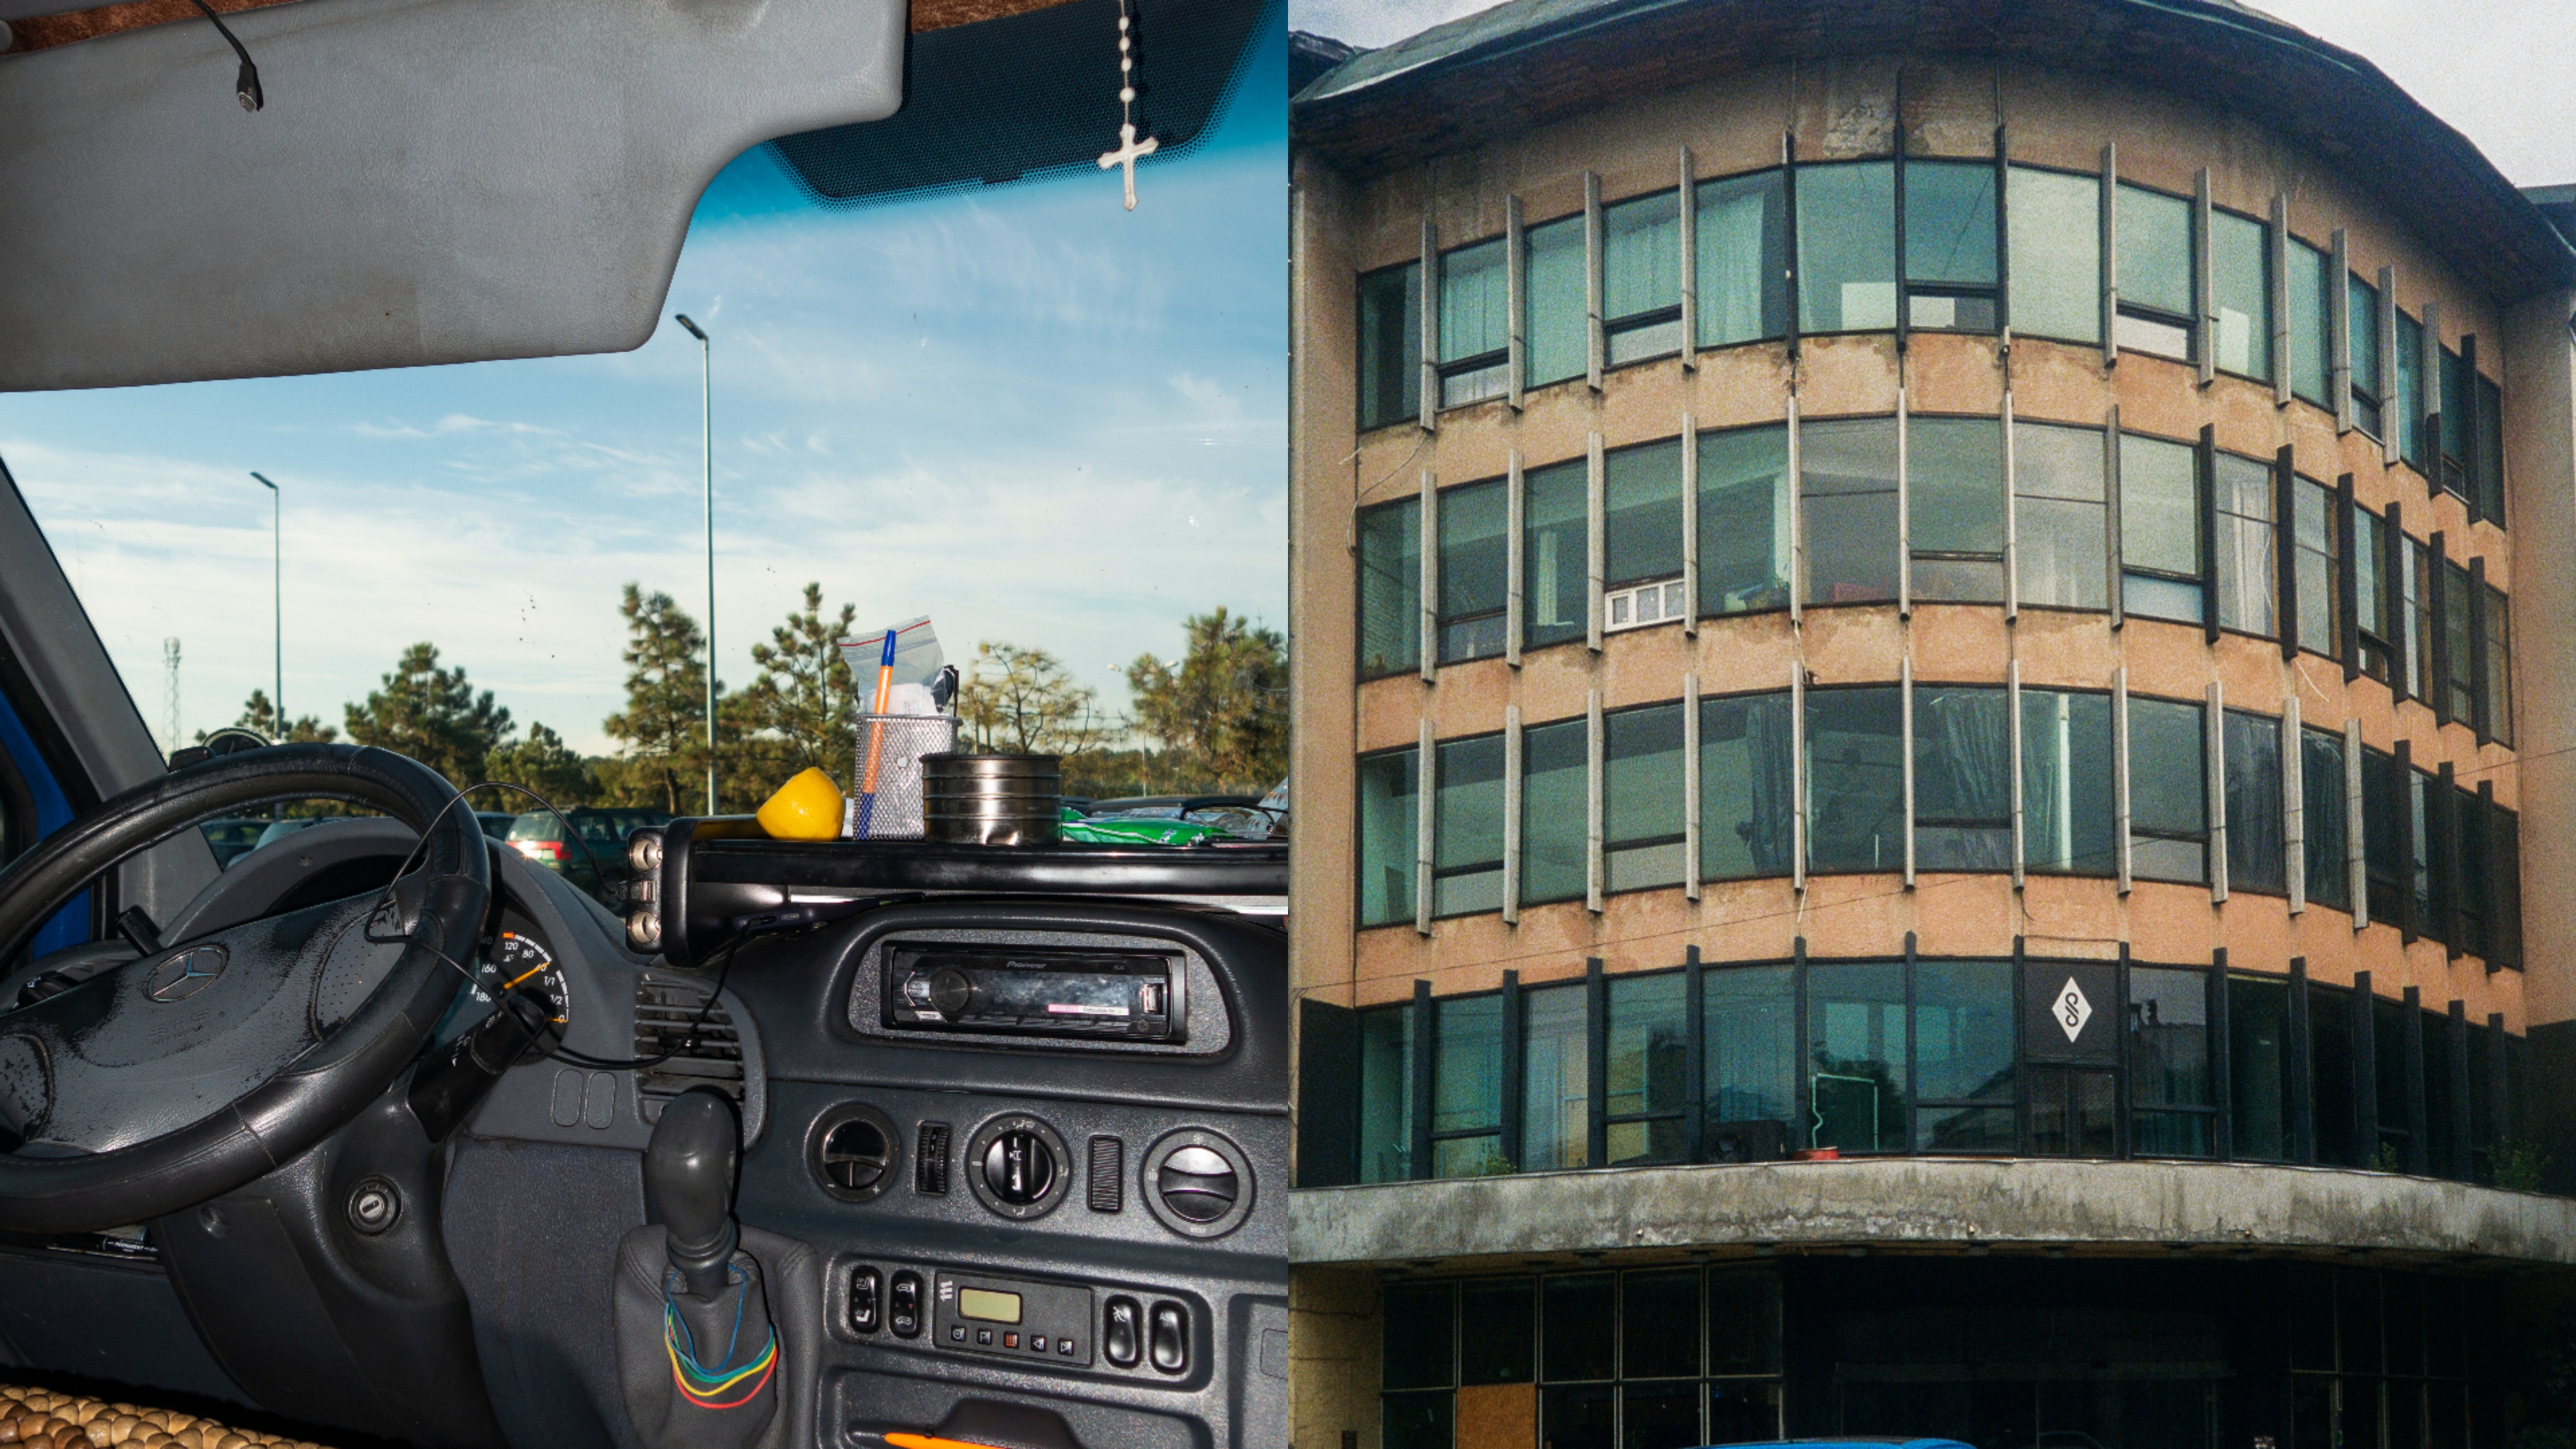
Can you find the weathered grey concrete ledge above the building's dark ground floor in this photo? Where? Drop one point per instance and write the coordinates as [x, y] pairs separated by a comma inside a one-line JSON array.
[[1928, 1203]]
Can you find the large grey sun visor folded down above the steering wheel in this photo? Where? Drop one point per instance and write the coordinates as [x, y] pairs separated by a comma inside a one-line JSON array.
[[429, 182]]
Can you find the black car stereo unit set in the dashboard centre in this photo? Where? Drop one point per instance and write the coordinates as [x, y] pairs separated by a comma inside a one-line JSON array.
[[1037, 991]]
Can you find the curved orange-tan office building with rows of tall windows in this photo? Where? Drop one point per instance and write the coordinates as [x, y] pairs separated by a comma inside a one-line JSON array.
[[1933, 661]]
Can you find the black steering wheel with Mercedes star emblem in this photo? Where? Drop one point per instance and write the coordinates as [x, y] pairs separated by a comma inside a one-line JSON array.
[[207, 1064]]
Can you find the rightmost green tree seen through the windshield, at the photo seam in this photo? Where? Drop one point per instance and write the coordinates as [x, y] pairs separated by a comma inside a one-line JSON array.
[[1225, 708]]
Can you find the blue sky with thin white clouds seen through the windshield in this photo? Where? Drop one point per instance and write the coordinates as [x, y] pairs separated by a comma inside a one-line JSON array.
[[1021, 411]]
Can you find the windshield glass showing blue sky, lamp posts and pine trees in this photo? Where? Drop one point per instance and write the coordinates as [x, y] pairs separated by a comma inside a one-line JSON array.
[[1045, 422]]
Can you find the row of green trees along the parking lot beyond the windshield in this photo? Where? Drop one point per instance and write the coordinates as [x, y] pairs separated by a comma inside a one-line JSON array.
[[1209, 723]]
